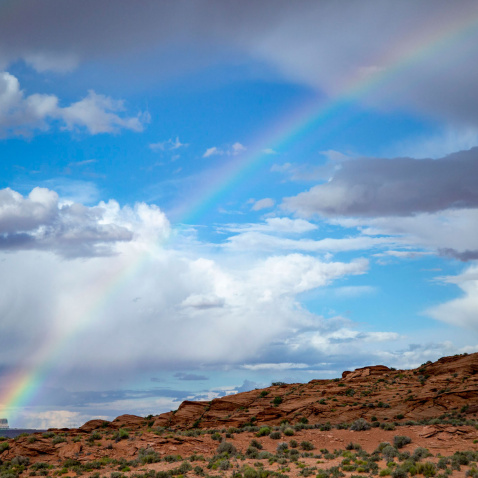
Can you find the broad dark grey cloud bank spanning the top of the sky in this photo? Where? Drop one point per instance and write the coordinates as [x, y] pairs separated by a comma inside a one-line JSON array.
[[299, 40]]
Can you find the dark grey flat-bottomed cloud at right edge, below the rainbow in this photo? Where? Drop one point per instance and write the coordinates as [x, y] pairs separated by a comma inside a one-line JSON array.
[[373, 187]]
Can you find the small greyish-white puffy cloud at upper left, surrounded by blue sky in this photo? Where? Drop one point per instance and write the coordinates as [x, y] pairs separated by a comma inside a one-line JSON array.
[[21, 114]]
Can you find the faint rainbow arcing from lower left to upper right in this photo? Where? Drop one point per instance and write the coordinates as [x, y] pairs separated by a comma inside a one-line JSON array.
[[20, 388]]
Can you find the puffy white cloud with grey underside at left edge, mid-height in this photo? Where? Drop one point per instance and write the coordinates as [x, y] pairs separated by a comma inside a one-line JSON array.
[[40, 221]]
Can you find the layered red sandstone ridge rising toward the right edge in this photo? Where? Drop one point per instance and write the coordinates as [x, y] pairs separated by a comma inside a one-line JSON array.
[[448, 386]]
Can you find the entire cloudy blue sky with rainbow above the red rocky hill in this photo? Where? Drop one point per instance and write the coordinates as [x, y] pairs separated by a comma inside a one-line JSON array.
[[200, 197]]
